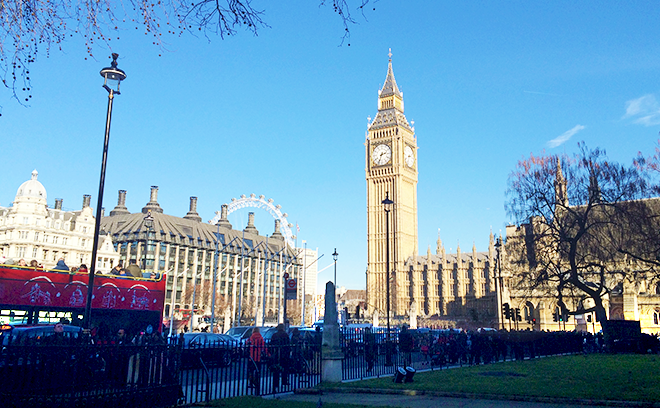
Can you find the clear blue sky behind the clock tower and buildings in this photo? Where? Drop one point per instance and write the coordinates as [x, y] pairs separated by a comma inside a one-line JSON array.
[[284, 114]]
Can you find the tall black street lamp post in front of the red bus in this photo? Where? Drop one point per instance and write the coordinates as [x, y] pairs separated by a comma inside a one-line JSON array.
[[112, 78]]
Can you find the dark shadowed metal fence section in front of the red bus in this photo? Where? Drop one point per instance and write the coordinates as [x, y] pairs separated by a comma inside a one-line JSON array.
[[42, 375]]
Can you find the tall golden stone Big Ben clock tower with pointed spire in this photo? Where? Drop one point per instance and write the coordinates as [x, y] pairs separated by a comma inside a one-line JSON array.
[[391, 170]]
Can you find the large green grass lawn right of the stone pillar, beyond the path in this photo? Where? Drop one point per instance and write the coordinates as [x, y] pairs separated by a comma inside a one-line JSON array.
[[595, 376]]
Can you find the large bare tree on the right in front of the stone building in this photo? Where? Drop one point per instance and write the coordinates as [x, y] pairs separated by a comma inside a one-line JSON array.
[[580, 215]]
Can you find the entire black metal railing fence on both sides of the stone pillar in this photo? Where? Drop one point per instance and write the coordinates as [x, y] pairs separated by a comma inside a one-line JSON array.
[[159, 375]]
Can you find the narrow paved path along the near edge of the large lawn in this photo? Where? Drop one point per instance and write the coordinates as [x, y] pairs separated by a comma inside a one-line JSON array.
[[412, 399]]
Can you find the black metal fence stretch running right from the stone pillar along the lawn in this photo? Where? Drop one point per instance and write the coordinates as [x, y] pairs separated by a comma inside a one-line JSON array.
[[367, 352]]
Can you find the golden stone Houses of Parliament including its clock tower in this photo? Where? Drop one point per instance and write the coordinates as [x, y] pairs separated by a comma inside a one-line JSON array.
[[466, 289]]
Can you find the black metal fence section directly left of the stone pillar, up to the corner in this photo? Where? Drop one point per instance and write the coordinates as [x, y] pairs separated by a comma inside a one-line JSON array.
[[207, 375]]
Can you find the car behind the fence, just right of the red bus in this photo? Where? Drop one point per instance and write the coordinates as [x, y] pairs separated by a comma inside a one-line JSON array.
[[208, 348]]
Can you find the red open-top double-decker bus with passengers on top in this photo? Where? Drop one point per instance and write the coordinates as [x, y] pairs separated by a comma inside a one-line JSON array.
[[36, 296]]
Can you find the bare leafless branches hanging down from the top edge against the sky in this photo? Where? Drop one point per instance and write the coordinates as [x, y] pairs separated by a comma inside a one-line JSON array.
[[31, 28]]
